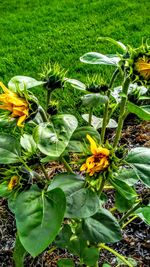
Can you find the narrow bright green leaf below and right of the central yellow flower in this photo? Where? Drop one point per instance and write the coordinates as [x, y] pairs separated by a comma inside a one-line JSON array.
[[123, 189]]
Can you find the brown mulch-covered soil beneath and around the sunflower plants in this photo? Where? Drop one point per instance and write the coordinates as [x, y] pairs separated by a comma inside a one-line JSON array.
[[136, 239]]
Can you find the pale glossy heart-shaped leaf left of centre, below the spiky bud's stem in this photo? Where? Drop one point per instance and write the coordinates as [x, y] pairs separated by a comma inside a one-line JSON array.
[[52, 138]]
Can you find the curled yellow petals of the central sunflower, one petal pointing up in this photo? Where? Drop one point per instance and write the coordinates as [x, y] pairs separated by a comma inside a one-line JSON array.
[[99, 161]]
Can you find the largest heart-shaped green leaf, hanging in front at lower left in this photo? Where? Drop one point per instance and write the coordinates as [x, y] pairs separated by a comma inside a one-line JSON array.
[[37, 218]]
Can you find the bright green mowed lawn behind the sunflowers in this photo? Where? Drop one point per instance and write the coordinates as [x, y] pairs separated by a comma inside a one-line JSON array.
[[33, 33]]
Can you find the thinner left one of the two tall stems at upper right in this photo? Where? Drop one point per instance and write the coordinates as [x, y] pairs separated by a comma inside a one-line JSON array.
[[105, 117]]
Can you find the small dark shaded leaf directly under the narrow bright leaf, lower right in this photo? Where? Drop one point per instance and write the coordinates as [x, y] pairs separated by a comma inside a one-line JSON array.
[[122, 204]]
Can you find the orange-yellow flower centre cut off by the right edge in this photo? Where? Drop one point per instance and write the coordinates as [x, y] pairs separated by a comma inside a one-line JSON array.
[[143, 67]]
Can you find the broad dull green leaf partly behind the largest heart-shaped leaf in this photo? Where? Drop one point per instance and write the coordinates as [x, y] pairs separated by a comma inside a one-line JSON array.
[[81, 202]]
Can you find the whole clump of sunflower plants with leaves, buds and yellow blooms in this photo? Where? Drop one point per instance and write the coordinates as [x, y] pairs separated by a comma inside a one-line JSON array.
[[70, 210]]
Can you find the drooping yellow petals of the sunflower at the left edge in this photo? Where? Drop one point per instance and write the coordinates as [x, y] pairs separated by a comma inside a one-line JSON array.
[[18, 107]]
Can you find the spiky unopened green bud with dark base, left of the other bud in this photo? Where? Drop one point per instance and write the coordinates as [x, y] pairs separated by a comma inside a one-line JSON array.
[[54, 76]]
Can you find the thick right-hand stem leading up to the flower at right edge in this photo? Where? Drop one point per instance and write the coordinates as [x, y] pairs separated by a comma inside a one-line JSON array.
[[122, 111]]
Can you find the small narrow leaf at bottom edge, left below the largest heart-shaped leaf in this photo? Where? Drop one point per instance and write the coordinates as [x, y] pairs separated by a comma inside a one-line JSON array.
[[19, 253]]
